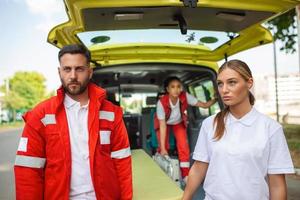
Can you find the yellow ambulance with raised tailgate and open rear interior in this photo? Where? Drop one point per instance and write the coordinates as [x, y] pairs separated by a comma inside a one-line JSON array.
[[136, 44]]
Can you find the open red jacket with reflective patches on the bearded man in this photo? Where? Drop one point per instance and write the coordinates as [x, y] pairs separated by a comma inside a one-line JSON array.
[[43, 160]]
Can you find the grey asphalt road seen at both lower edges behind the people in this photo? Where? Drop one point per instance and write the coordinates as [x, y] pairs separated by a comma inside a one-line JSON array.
[[8, 145]]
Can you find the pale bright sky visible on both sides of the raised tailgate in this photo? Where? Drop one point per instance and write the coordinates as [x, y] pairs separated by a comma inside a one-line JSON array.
[[25, 25]]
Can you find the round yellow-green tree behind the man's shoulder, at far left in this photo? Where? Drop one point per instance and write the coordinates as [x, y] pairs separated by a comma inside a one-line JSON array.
[[26, 89]]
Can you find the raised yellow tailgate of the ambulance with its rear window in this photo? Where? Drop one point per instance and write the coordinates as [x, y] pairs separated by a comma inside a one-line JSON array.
[[224, 26]]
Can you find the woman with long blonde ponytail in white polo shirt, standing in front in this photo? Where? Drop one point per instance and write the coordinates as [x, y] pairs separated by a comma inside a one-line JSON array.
[[240, 154]]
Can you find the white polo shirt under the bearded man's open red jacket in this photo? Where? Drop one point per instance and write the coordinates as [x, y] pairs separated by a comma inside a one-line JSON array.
[[81, 181]]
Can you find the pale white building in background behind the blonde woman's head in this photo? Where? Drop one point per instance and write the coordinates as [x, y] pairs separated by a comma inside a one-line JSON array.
[[288, 96]]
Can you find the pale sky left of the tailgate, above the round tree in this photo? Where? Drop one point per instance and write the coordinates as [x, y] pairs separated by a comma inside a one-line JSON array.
[[24, 28]]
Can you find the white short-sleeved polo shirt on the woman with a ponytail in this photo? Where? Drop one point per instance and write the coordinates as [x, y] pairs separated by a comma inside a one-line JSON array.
[[251, 148]]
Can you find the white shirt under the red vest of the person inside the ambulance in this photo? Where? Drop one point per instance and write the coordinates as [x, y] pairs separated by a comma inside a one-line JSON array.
[[175, 116]]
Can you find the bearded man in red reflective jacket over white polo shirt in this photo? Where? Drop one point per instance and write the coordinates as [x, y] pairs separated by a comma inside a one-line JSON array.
[[74, 145]]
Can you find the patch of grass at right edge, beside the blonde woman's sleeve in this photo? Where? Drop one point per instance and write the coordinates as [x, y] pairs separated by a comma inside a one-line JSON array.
[[292, 133]]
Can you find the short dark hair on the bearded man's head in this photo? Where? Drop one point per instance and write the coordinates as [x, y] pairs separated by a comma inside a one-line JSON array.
[[75, 49]]
